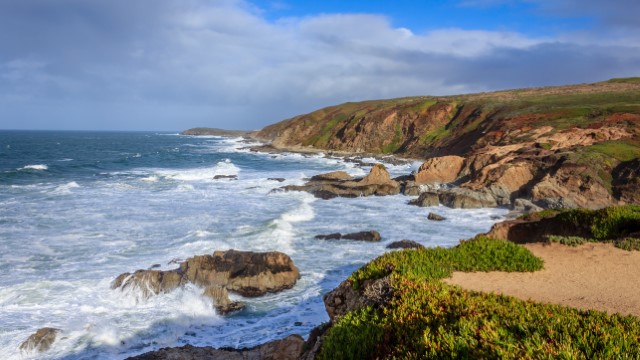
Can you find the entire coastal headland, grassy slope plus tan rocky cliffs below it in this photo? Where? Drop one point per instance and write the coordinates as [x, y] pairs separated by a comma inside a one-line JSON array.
[[569, 146]]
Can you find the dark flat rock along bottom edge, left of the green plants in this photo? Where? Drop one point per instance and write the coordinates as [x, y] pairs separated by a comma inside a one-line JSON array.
[[289, 348]]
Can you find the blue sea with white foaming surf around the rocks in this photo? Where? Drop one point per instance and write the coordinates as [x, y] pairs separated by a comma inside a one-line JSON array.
[[79, 208]]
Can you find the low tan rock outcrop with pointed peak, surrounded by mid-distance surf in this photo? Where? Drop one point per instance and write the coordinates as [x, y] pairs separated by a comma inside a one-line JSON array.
[[339, 183]]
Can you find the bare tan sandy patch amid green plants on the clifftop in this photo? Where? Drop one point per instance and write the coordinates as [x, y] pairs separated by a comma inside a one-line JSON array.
[[590, 276]]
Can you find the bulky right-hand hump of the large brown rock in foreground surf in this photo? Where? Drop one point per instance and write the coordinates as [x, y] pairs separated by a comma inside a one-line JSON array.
[[246, 273]]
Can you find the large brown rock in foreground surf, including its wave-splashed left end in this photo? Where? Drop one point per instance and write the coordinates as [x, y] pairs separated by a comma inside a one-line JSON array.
[[243, 272]]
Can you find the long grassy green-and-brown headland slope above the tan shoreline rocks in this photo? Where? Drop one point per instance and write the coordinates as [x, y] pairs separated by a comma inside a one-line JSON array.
[[427, 125]]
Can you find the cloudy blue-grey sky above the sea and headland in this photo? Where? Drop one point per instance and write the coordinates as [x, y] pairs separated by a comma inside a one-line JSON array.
[[169, 65]]
